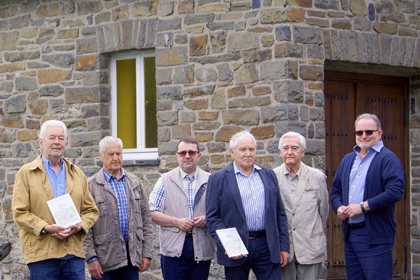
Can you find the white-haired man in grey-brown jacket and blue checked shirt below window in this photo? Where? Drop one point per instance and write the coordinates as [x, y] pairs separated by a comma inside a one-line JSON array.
[[119, 245]]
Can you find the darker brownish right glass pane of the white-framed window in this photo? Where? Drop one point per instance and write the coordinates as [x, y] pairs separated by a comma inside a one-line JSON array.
[[150, 102]]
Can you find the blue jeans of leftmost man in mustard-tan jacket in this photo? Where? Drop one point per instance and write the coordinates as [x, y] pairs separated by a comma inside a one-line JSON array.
[[65, 268]]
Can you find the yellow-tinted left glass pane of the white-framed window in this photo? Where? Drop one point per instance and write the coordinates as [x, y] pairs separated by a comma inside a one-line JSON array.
[[126, 102]]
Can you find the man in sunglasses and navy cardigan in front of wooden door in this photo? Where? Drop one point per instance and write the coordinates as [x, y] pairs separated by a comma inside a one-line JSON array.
[[367, 184]]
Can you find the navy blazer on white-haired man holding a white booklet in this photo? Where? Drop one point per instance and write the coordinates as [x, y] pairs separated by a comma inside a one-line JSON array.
[[224, 209]]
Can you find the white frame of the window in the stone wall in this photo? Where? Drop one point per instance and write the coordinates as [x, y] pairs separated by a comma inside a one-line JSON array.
[[139, 153]]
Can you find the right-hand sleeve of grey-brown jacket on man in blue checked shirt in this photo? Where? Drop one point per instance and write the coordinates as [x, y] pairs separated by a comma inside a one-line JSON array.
[[147, 225]]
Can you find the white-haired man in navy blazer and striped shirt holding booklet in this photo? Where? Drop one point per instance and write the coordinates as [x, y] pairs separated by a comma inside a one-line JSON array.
[[246, 196]]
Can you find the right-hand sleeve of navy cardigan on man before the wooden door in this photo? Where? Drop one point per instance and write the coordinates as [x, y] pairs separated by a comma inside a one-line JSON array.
[[392, 177]]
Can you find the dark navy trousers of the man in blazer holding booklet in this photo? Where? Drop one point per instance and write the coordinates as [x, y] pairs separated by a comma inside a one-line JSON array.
[[258, 260]]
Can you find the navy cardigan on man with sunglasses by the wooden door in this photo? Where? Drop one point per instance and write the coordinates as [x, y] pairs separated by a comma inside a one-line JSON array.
[[384, 187]]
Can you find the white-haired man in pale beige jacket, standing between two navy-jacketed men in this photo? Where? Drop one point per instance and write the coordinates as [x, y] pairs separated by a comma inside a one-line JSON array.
[[305, 197]]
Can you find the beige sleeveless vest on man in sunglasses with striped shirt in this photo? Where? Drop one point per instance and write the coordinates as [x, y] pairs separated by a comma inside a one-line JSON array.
[[172, 238]]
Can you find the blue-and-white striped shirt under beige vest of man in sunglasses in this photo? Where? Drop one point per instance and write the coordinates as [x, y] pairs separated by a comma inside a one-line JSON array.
[[158, 194]]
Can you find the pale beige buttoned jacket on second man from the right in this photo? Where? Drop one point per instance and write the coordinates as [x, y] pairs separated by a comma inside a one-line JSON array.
[[307, 213]]
